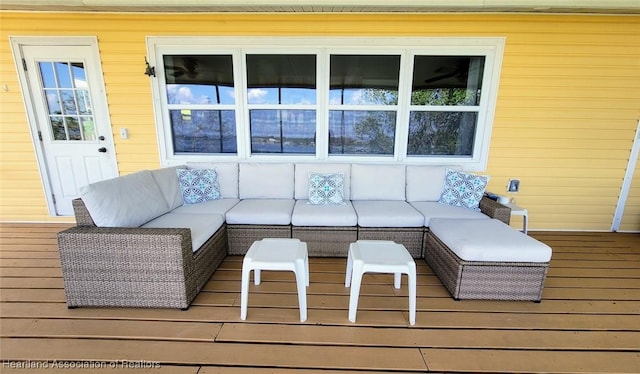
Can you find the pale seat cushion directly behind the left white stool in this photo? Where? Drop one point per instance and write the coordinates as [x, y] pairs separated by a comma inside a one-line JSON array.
[[261, 212]]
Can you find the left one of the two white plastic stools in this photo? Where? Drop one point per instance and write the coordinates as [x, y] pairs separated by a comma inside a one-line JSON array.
[[276, 254]]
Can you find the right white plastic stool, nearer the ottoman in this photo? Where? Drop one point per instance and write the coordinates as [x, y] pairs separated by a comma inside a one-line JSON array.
[[379, 256]]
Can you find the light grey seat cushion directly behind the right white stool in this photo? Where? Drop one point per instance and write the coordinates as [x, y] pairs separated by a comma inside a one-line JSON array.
[[378, 213]]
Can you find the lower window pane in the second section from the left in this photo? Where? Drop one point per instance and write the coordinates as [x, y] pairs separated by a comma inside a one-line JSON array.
[[283, 131]]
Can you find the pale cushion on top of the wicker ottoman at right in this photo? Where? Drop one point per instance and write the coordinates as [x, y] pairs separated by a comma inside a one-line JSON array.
[[488, 240]]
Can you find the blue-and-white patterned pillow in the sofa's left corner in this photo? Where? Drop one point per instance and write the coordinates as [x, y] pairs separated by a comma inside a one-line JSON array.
[[198, 185]]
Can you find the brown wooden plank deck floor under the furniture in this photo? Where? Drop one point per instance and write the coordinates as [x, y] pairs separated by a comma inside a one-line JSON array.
[[588, 321]]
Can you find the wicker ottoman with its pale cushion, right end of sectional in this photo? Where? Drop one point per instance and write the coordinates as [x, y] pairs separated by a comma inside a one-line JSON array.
[[486, 259]]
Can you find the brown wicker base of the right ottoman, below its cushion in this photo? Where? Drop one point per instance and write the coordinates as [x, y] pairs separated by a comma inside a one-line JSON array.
[[484, 280]]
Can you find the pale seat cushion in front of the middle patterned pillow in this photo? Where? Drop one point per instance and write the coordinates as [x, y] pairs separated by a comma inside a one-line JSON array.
[[323, 215]]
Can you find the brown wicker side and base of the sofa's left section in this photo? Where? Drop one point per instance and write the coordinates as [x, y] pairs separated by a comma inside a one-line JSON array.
[[136, 267]]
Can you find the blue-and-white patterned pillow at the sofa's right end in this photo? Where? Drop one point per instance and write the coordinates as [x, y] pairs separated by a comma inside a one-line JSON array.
[[463, 189]]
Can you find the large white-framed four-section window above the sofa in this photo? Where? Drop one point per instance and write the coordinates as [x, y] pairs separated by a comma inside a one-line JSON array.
[[409, 100]]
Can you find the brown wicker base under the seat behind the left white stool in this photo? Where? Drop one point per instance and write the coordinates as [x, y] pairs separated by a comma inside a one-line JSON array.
[[242, 236]]
